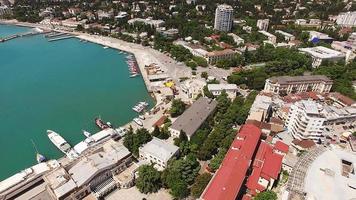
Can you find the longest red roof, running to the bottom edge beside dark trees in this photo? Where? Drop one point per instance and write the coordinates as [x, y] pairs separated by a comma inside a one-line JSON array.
[[227, 182]]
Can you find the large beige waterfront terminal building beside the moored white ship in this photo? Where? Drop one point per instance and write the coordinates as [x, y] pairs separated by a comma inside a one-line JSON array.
[[90, 174]]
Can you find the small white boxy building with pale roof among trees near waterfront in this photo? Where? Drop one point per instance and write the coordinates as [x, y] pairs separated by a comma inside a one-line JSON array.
[[159, 152]]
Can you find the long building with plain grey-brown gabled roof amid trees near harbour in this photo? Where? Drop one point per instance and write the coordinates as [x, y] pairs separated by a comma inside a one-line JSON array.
[[191, 120]]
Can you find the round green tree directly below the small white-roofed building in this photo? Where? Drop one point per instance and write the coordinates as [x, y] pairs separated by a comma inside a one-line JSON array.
[[149, 179]]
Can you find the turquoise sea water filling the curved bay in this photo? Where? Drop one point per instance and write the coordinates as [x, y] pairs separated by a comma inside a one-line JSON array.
[[61, 86]]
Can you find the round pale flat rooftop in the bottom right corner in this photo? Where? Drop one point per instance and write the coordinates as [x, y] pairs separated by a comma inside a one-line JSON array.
[[332, 185]]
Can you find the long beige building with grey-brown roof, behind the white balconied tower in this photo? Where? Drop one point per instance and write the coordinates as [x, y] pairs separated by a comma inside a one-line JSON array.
[[296, 84]]
